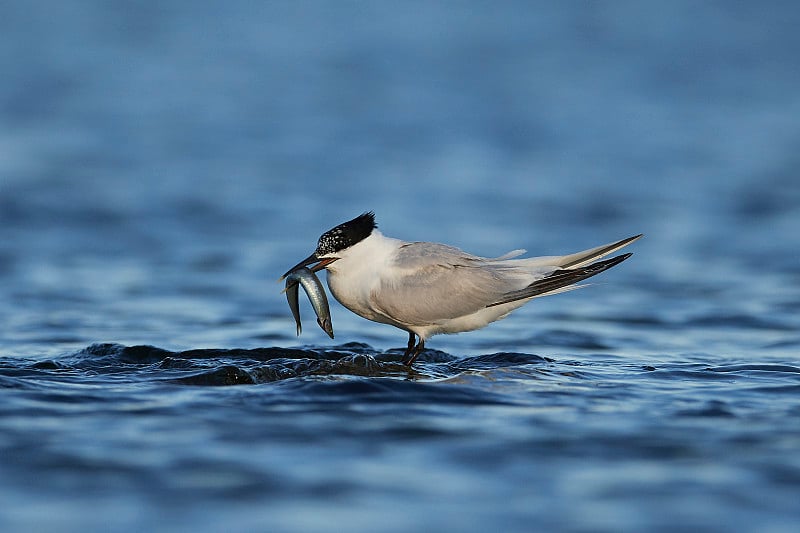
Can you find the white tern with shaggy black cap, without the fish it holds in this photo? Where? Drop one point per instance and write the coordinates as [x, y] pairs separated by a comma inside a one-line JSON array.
[[427, 288]]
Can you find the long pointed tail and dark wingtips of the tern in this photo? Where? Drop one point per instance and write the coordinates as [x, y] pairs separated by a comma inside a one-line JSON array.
[[574, 268]]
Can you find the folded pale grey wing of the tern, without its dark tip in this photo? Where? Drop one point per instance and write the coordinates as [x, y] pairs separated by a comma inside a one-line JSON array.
[[439, 283]]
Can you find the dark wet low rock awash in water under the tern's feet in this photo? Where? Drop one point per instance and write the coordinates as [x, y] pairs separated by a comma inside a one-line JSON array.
[[225, 367]]
